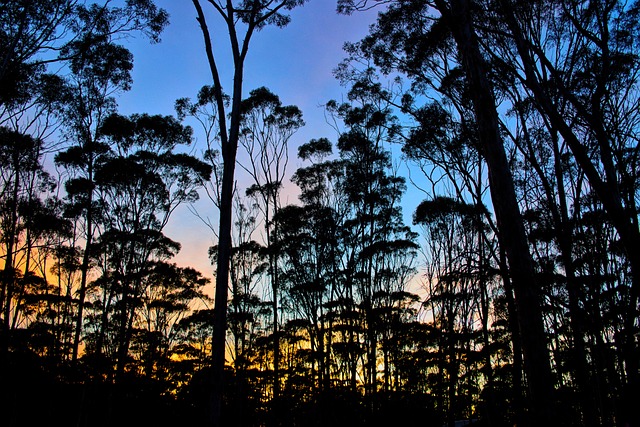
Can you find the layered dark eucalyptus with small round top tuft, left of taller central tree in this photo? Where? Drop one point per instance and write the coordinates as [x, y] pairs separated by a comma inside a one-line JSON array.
[[308, 245]]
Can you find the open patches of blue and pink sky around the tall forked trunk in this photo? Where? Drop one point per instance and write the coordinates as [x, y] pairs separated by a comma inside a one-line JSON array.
[[295, 62]]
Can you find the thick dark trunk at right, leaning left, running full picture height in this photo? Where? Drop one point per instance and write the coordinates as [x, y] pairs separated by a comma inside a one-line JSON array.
[[508, 217]]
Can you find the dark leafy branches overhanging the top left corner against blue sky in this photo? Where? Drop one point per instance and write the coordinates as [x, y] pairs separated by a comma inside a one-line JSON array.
[[36, 34]]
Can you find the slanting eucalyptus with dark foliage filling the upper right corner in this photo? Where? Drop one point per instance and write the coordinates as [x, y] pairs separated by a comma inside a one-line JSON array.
[[589, 51]]
